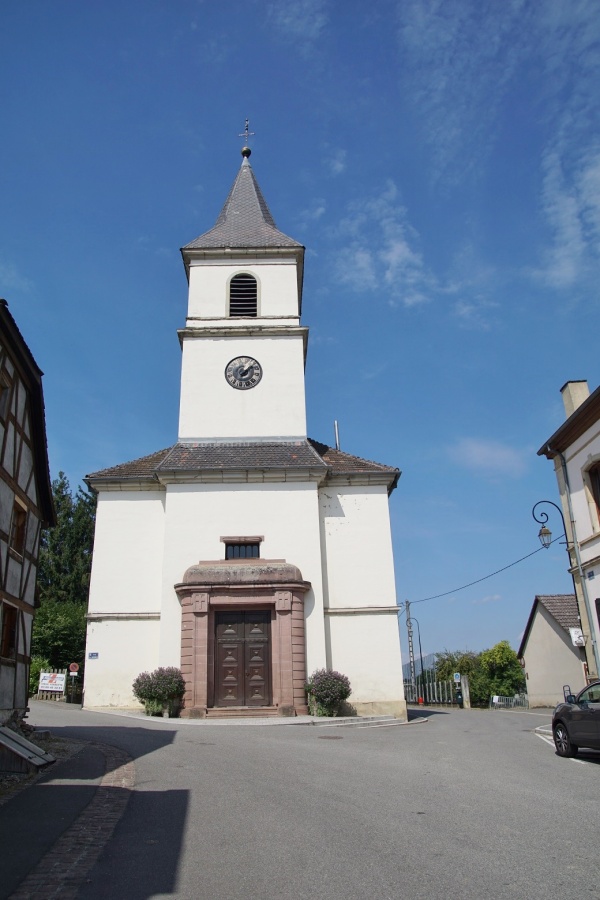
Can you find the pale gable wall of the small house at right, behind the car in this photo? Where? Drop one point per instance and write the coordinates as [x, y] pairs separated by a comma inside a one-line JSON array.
[[551, 661]]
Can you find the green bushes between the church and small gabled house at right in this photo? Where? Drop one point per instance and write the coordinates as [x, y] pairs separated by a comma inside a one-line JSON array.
[[494, 671]]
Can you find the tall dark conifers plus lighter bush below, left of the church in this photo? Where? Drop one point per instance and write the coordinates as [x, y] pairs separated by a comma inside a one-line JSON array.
[[64, 576]]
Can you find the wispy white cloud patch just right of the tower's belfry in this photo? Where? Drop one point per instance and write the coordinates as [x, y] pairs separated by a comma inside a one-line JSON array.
[[381, 251]]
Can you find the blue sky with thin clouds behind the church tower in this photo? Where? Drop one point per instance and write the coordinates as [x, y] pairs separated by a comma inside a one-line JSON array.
[[439, 159]]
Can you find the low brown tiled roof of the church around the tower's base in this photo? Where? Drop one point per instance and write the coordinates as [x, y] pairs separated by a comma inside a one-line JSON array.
[[247, 455]]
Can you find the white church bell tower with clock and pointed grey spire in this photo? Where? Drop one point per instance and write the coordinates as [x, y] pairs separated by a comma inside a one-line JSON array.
[[243, 348]]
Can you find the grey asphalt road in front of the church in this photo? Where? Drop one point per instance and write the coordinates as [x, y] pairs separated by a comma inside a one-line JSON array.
[[468, 804]]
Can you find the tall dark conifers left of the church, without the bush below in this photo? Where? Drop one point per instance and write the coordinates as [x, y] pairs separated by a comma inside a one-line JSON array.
[[66, 550]]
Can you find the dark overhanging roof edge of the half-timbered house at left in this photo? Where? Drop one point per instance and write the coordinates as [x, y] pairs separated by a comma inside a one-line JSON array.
[[31, 375]]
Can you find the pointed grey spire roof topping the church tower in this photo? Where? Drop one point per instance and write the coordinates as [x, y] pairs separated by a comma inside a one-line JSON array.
[[245, 220]]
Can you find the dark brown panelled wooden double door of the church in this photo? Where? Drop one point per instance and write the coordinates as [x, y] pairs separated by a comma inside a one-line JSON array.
[[243, 658]]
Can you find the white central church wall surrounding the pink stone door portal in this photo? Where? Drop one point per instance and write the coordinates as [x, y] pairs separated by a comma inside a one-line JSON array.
[[285, 515]]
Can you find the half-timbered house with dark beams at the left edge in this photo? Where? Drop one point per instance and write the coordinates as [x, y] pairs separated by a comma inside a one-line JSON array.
[[25, 508]]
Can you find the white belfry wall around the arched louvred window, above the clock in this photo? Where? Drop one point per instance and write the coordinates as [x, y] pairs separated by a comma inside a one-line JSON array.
[[209, 287]]
